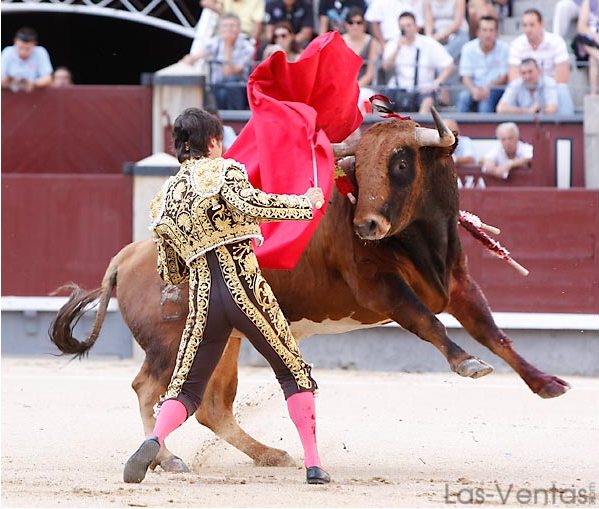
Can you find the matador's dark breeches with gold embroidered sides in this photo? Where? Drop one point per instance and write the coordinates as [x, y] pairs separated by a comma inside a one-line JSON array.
[[226, 291]]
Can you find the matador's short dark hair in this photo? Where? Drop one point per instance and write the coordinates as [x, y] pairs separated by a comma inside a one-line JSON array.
[[192, 131]]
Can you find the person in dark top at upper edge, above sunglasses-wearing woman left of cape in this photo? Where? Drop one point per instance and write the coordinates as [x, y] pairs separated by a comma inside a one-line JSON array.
[[298, 13]]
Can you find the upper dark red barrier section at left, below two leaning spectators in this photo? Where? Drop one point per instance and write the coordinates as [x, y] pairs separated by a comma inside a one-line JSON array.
[[81, 129]]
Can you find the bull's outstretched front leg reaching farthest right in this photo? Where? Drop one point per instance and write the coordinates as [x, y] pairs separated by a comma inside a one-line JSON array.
[[469, 306]]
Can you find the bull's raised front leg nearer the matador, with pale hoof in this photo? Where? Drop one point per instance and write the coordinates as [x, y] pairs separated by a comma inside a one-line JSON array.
[[389, 295]]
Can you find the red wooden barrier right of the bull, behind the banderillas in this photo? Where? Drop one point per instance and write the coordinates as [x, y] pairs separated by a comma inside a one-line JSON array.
[[554, 234]]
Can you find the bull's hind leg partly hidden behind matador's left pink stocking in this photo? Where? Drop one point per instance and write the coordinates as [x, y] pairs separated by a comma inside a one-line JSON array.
[[149, 389]]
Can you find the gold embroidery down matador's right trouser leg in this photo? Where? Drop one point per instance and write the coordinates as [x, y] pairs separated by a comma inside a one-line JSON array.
[[269, 320]]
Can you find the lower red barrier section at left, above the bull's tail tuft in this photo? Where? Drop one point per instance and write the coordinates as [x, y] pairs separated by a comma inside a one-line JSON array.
[[61, 228]]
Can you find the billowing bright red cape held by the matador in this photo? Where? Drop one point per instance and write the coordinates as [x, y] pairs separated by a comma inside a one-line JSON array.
[[298, 109]]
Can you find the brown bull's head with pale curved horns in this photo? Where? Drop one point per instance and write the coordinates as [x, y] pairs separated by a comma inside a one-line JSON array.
[[394, 163]]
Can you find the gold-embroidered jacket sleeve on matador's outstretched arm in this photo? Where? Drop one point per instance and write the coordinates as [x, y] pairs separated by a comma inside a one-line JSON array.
[[259, 205]]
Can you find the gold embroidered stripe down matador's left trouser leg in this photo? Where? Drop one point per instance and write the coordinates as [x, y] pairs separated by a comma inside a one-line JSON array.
[[199, 297]]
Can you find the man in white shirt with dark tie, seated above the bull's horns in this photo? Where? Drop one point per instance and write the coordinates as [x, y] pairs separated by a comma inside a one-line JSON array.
[[414, 59]]
